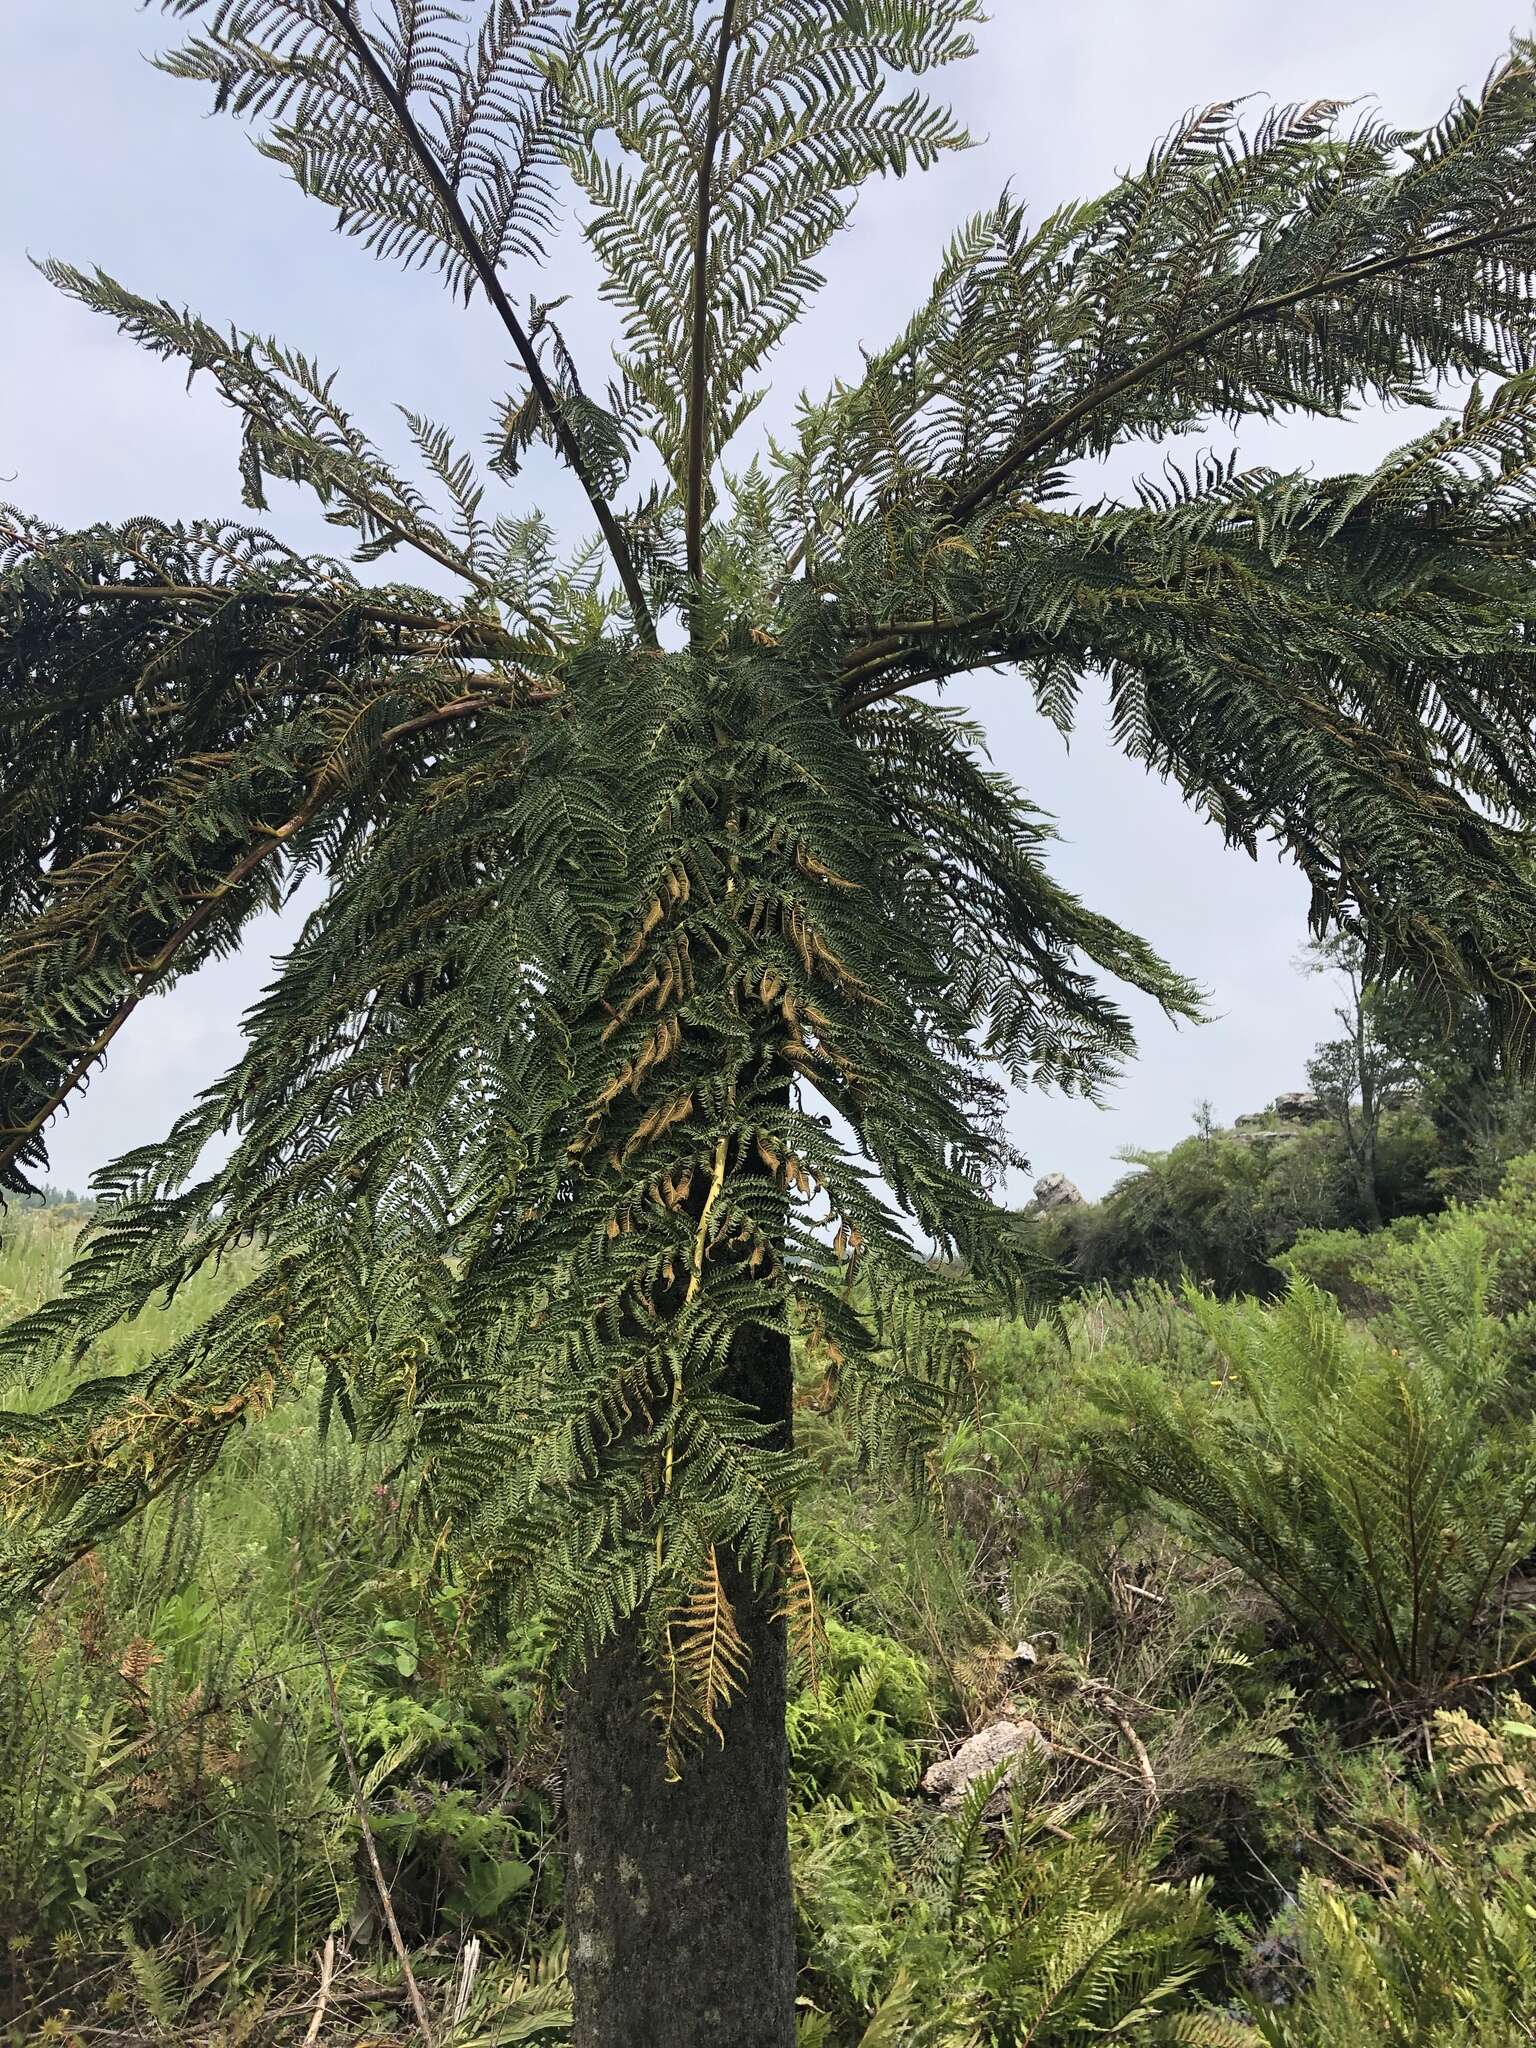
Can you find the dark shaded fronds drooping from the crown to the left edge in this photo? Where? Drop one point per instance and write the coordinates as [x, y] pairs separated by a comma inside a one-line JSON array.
[[191, 718]]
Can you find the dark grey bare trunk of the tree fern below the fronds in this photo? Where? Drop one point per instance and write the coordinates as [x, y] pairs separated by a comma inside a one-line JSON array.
[[679, 1904]]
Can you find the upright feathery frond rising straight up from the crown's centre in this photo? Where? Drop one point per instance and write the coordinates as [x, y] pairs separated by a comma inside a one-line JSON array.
[[736, 138]]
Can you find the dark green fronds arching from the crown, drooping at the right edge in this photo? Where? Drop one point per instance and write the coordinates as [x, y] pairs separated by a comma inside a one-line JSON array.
[[1345, 667]]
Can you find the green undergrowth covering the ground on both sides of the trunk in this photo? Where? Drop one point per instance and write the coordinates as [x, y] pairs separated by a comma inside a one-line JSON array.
[[1246, 1576]]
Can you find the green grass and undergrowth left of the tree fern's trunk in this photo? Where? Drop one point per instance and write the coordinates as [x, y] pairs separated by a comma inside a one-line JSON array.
[[175, 1814]]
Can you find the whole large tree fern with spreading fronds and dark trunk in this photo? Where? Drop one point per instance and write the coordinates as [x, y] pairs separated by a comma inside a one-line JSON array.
[[642, 857]]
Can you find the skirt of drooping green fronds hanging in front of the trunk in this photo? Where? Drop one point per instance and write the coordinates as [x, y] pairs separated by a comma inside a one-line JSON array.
[[527, 1127]]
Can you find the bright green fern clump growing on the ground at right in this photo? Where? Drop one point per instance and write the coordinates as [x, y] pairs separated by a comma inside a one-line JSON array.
[[1377, 1494]]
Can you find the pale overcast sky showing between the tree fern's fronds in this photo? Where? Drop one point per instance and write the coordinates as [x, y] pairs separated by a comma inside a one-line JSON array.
[[105, 161]]
